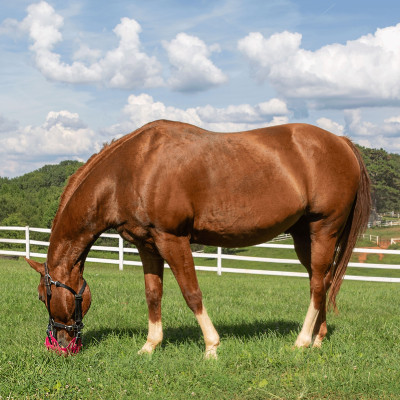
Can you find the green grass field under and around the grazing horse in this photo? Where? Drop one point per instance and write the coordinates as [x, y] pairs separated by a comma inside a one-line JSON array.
[[258, 318]]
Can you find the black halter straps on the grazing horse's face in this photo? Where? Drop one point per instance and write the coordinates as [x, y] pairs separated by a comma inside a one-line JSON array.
[[78, 325]]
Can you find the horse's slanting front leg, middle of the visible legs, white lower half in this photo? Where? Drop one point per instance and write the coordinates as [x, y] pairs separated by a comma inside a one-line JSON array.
[[177, 253]]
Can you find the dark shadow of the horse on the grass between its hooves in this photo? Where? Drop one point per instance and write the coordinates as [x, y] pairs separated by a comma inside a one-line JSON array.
[[181, 334]]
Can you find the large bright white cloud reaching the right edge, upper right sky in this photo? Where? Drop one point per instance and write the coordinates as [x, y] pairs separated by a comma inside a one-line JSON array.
[[361, 72]]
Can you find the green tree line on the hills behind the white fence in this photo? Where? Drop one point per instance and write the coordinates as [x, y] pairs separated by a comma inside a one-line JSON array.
[[32, 199]]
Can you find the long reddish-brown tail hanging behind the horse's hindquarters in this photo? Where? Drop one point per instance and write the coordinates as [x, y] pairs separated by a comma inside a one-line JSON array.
[[356, 223]]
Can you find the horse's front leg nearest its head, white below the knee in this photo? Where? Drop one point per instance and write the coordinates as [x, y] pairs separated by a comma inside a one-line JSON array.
[[153, 267]]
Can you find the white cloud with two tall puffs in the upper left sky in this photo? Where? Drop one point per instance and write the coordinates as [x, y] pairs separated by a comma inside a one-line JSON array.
[[126, 66]]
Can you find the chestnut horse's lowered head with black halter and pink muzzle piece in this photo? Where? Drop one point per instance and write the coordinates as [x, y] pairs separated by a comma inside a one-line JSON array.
[[67, 298]]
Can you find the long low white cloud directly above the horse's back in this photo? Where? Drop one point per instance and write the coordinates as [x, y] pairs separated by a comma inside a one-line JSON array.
[[142, 109]]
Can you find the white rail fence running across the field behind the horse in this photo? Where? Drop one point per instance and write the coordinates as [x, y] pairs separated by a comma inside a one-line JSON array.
[[219, 256]]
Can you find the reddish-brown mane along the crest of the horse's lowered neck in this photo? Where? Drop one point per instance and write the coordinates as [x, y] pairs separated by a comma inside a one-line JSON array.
[[79, 176]]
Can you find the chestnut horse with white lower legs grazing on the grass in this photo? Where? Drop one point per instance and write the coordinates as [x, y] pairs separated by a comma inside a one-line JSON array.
[[169, 184]]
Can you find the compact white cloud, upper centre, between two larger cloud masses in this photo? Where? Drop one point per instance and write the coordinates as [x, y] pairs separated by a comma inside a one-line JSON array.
[[192, 70]]
